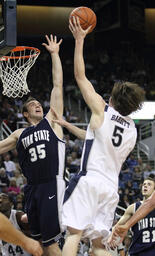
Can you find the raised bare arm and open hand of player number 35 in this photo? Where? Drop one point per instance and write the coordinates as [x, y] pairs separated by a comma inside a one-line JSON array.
[[56, 100]]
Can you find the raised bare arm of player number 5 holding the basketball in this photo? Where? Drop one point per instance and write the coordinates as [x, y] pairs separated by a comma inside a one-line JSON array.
[[93, 100]]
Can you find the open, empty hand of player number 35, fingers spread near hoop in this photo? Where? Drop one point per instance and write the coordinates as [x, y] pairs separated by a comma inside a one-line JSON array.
[[52, 45]]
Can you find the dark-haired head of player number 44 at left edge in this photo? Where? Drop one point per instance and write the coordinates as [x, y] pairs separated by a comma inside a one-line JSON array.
[[5, 204]]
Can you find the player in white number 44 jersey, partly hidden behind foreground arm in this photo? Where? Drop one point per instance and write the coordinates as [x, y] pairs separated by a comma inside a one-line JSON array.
[[15, 218]]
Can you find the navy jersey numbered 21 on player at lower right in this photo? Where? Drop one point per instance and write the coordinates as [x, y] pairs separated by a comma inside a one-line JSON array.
[[143, 234]]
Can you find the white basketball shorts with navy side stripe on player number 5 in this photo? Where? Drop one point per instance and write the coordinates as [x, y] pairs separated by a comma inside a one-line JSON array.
[[90, 205]]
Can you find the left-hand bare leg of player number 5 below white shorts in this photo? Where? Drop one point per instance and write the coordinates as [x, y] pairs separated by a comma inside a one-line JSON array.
[[71, 244]]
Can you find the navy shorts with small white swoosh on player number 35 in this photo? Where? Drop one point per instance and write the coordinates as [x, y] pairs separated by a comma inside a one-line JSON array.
[[42, 211]]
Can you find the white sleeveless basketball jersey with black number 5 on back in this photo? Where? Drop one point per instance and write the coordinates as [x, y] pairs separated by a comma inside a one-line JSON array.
[[107, 147]]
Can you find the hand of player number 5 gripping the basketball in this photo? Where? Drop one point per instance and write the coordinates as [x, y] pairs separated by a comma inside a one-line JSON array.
[[76, 28]]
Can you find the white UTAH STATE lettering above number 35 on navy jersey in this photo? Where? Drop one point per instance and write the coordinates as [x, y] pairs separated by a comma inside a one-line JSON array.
[[34, 137]]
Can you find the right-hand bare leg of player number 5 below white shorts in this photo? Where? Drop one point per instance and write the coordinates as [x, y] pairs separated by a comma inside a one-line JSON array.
[[98, 249]]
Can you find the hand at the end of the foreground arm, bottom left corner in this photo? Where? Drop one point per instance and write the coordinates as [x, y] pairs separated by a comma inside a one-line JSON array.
[[33, 247]]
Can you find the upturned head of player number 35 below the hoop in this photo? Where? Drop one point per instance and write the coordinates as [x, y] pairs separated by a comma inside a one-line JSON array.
[[32, 110]]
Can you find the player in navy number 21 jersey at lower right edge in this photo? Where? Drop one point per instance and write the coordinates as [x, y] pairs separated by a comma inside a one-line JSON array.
[[143, 232]]
